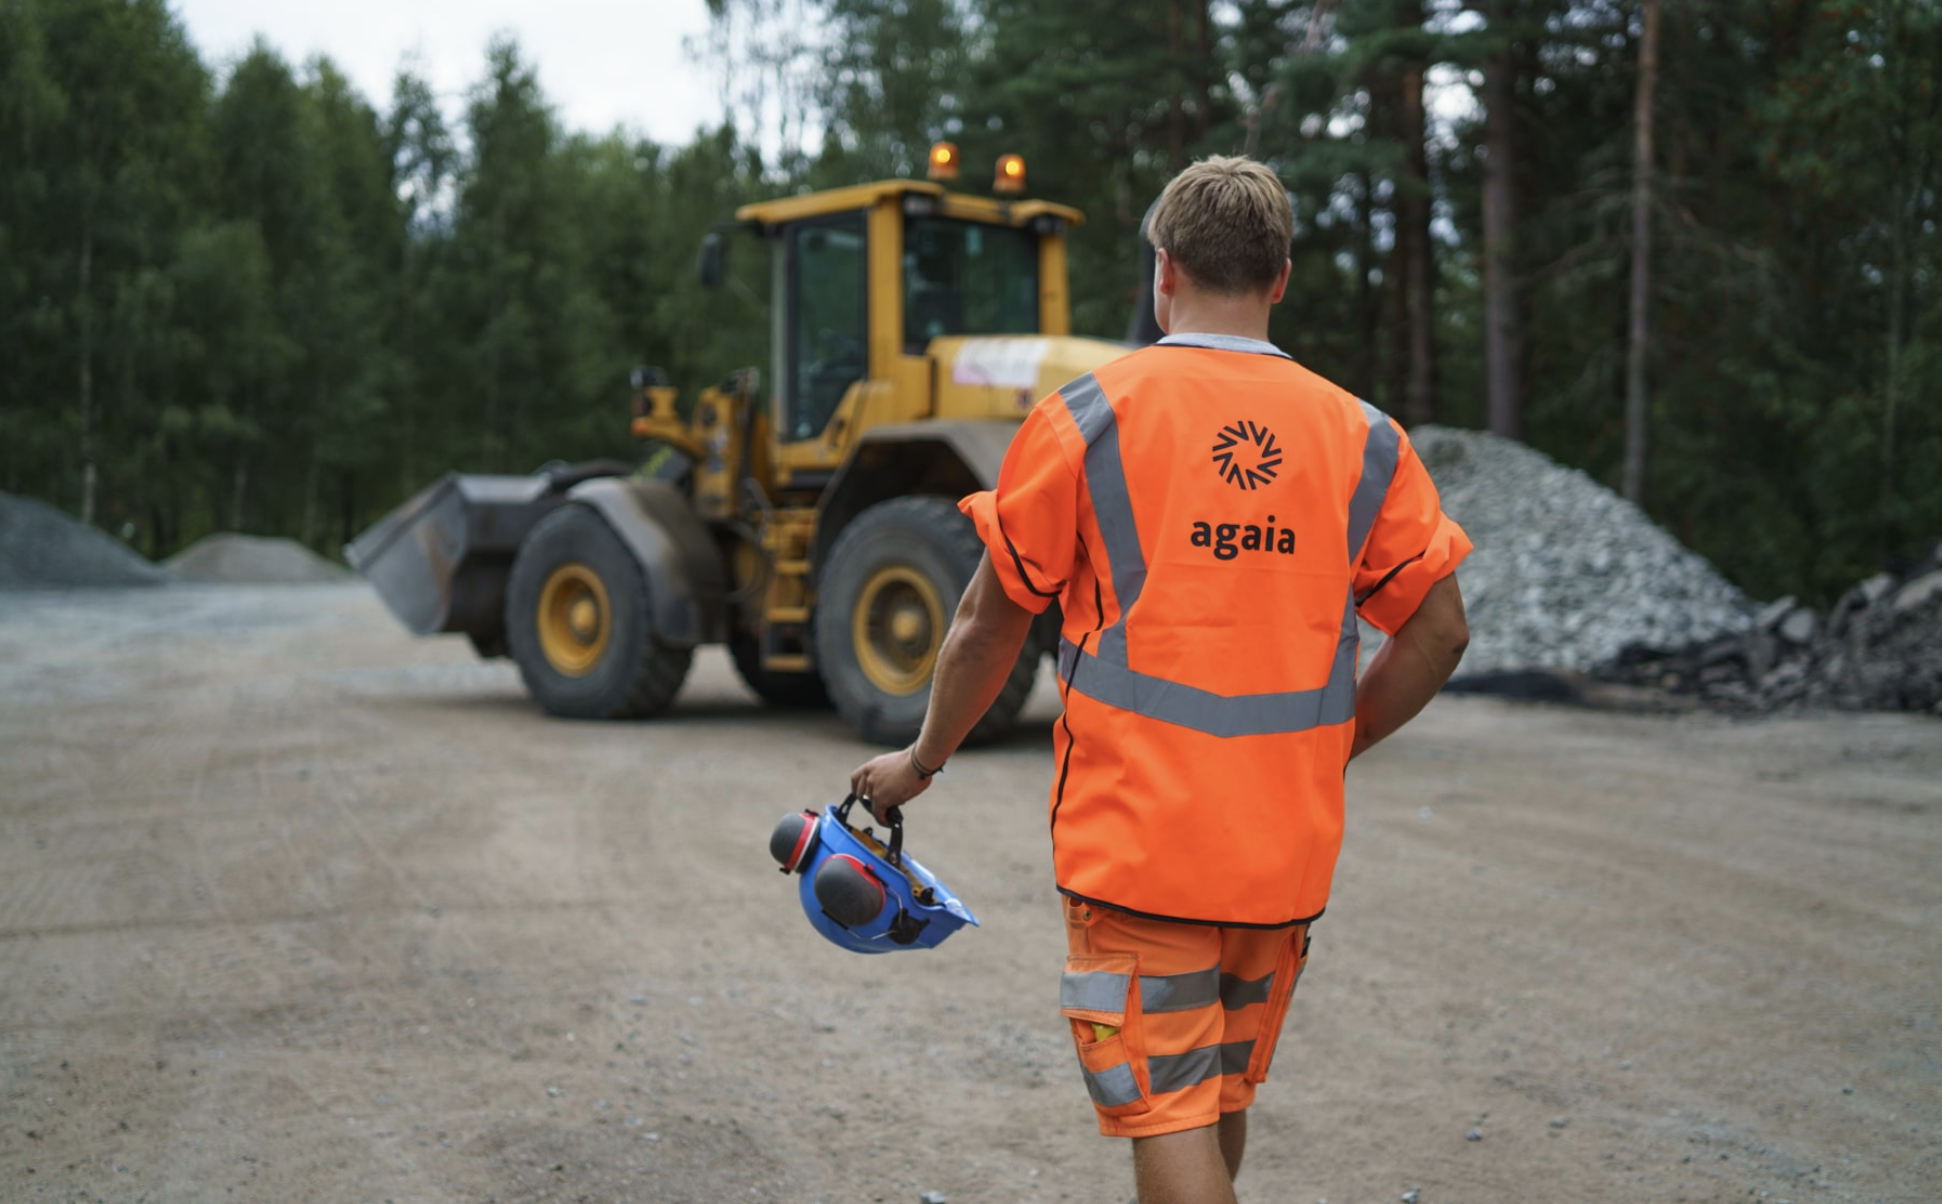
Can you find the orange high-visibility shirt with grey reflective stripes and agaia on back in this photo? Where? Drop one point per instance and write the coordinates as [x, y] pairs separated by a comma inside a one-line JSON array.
[[1211, 519]]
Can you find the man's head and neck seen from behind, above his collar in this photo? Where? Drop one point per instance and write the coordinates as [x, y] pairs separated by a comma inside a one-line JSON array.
[[1221, 232]]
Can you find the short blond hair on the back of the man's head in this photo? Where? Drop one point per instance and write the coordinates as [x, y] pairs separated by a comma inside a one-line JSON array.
[[1226, 222]]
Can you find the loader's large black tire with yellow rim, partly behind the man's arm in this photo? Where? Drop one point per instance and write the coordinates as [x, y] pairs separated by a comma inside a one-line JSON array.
[[885, 599]]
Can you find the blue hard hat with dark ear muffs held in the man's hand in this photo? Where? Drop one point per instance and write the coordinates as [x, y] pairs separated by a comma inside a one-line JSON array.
[[861, 894]]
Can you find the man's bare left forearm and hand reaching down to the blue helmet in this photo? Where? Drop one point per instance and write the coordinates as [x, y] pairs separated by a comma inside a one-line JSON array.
[[974, 663]]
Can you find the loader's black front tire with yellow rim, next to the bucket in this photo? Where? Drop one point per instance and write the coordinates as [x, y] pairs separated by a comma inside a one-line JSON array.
[[580, 628]]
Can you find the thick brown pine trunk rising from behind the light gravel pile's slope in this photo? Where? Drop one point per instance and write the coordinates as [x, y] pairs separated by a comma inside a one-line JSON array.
[[1502, 323]]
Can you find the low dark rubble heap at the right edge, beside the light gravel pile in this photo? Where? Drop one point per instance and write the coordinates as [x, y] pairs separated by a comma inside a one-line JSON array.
[[1879, 650]]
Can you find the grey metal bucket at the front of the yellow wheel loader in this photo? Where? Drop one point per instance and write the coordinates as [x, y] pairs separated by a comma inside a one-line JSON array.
[[442, 560]]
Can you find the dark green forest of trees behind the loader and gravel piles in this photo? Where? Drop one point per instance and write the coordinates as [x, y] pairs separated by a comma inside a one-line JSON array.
[[248, 298]]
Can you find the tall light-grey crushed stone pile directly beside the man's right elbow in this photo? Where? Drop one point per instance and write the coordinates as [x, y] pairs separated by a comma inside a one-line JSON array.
[[1566, 574]]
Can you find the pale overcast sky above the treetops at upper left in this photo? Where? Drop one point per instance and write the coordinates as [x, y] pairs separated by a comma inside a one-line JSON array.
[[601, 63]]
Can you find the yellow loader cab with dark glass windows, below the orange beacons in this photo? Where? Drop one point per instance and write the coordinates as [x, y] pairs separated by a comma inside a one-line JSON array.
[[861, 284]]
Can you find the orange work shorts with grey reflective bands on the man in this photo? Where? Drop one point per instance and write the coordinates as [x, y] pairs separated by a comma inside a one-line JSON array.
[[1174, 1022]]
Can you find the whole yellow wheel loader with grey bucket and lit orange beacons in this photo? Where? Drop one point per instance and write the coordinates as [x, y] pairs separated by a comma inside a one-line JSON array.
[[803, 518]]
